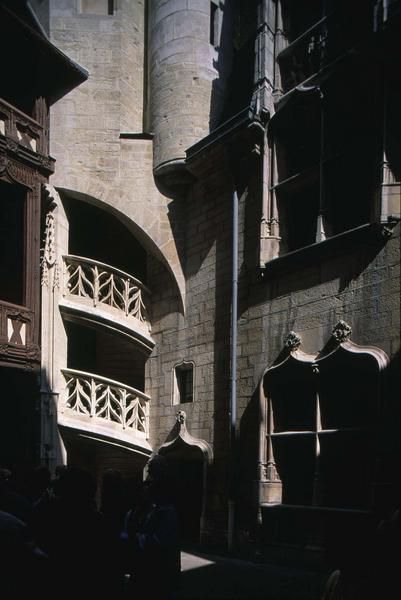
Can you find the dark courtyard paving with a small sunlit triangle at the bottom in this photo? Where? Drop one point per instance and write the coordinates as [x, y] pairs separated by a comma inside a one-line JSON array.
[[207, 577]]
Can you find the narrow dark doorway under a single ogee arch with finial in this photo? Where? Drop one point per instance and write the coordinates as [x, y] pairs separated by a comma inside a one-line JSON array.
[[188, 458]]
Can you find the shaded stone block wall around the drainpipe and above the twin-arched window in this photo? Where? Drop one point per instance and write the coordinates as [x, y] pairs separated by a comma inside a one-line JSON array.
[[358, 283]]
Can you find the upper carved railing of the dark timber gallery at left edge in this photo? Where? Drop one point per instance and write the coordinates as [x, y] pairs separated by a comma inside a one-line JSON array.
[[21, 128]]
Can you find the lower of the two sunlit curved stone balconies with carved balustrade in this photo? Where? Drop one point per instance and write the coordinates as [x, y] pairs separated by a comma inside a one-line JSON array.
[[107, 409]]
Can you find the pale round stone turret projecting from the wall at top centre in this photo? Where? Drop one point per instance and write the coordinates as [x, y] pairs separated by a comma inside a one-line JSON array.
[[182, 75]]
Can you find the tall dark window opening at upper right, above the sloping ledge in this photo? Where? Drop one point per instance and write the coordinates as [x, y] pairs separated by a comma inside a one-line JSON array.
[[327, 158]]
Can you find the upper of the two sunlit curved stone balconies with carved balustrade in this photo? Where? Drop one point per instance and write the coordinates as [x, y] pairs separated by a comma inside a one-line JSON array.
[[102, 296]]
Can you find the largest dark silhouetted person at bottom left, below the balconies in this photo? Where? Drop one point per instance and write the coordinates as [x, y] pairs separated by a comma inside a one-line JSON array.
[[74, 535]]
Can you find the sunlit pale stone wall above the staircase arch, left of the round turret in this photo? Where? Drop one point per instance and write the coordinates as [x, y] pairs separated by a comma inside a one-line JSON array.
[[92, 160]]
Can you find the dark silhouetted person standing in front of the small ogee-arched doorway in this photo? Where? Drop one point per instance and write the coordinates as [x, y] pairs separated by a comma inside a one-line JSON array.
[[152, 538]]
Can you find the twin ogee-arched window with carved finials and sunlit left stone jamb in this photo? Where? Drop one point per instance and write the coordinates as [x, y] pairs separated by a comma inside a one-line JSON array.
[[319, 420]]
